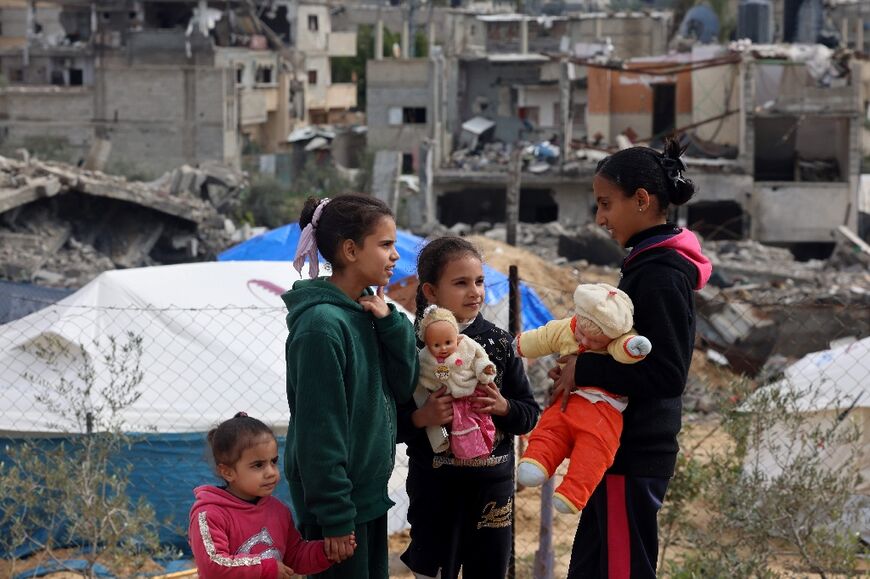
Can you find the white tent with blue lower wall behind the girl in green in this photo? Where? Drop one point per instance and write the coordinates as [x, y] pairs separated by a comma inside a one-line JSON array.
[[212, 345]]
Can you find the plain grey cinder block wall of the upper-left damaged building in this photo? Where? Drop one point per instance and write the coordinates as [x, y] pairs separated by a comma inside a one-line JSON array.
[[156, 117]]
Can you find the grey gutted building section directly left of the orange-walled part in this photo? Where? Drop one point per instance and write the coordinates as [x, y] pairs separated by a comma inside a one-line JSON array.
[[493, 82]]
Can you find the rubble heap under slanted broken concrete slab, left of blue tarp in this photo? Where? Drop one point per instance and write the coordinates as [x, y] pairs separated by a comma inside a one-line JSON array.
[[61, 225]]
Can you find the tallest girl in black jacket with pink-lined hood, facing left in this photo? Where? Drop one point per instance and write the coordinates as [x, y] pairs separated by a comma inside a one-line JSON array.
[[618, 531]]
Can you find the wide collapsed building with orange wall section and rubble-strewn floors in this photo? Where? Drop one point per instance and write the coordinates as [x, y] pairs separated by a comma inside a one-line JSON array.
[[567, 90]]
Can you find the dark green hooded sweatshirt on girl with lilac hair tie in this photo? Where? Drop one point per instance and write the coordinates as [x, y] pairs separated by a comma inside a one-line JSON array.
[[345, 371]]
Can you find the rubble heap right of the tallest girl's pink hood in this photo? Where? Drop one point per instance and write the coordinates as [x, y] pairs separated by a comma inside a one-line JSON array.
[[773, 305]]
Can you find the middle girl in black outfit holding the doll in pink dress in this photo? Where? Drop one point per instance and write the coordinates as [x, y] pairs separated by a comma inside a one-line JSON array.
[[461, 510]]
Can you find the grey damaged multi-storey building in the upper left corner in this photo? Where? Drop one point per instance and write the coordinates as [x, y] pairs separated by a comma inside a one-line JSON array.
[[159, 84]]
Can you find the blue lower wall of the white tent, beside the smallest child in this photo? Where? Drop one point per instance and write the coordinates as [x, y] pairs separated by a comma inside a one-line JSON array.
[[165, 470]]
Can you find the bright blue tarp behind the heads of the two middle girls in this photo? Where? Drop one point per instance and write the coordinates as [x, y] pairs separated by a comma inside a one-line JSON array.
[[280, 245]]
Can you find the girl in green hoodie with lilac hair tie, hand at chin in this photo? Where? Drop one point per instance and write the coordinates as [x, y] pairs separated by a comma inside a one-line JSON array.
[[350, 357]]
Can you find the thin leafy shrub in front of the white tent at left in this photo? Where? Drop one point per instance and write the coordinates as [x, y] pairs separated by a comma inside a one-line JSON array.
[[75, 490]]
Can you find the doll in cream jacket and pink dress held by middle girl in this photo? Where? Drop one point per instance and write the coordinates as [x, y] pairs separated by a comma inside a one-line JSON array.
[[458, 362]]
